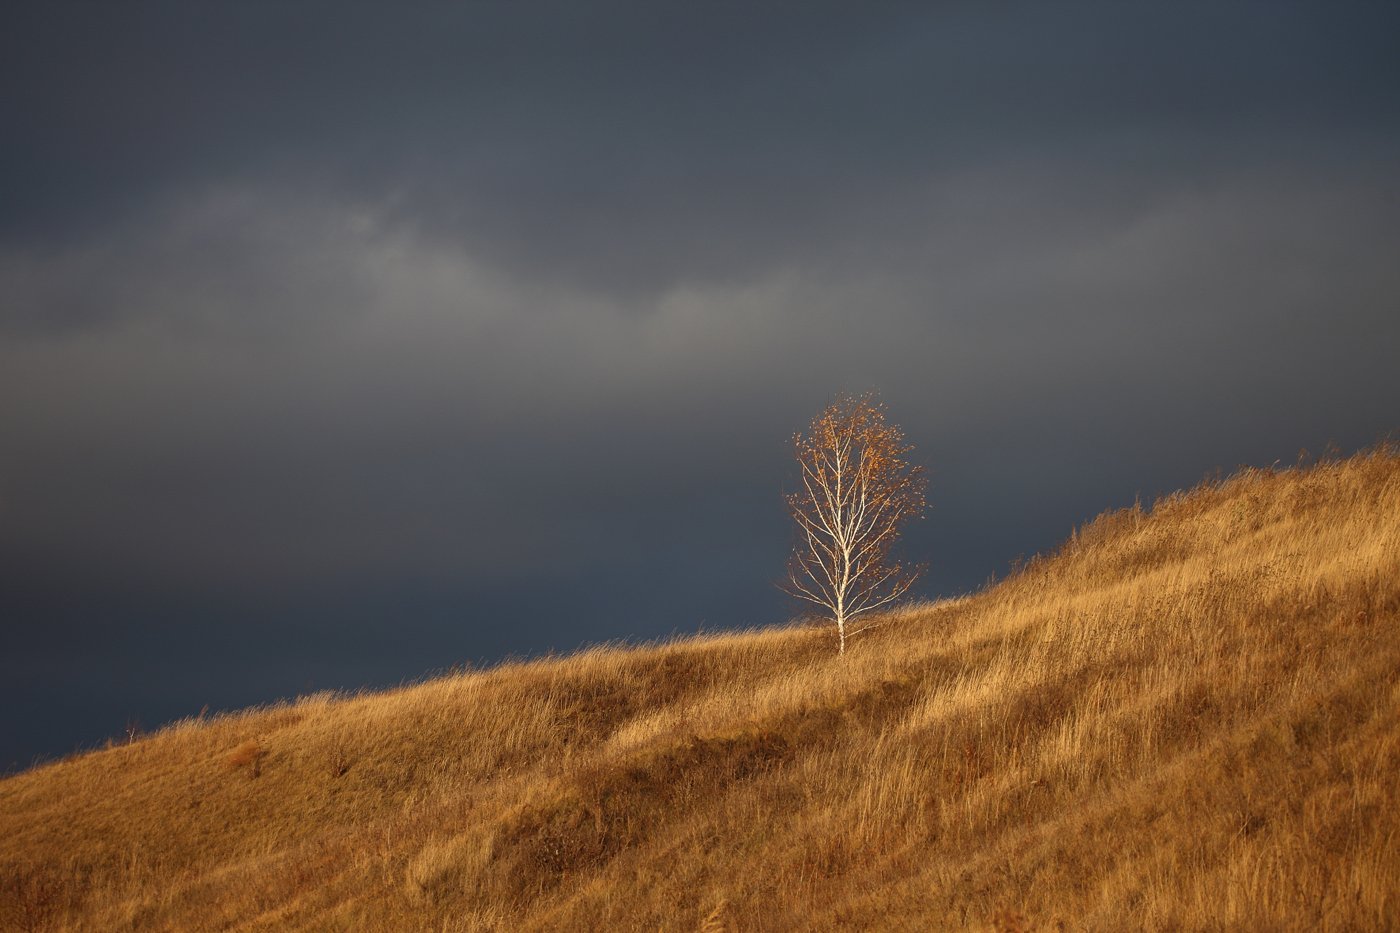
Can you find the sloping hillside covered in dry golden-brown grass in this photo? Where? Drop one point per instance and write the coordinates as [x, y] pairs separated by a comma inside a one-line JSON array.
[[1188, 718]]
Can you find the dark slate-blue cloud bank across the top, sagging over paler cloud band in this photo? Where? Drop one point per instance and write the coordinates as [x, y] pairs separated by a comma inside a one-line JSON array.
[[633, 146]]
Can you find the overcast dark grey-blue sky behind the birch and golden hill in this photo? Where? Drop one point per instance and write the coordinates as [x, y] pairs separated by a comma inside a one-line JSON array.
[[345, 343]]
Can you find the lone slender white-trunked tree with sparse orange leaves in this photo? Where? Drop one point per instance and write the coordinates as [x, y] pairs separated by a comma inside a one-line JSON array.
[[857, 492]]
